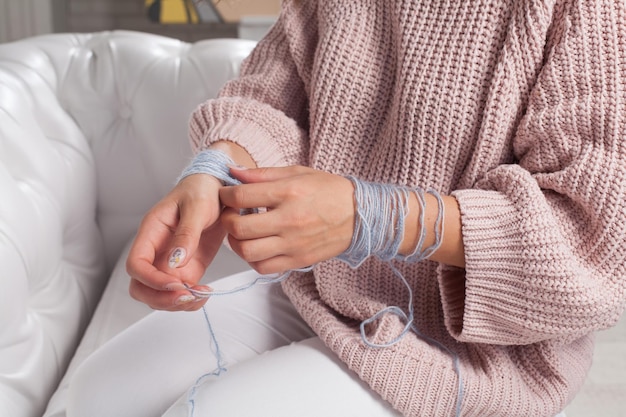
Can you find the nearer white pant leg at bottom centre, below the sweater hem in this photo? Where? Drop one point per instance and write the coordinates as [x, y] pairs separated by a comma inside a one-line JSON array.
[[304, 379]]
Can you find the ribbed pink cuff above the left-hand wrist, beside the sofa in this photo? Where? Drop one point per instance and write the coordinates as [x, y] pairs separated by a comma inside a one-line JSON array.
[[267, 134]]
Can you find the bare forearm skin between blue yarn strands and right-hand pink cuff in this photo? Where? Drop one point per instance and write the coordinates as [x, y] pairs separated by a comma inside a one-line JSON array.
[[451, 251]]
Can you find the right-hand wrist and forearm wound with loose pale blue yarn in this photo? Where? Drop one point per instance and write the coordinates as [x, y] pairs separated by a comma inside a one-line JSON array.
[[395, 222]]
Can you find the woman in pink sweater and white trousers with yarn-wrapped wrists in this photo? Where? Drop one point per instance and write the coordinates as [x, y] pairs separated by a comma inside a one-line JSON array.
[[509, 113]]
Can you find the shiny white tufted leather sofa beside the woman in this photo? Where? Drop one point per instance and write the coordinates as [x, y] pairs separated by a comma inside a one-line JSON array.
[[93, 131]]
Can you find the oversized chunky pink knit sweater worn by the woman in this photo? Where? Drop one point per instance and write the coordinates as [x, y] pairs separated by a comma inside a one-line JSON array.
[[518, 109]]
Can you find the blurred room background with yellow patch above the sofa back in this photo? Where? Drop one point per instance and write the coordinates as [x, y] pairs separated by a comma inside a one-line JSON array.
[[188, 20]]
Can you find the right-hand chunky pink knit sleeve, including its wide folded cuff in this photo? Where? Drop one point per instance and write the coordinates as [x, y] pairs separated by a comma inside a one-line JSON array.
[[545, 238]]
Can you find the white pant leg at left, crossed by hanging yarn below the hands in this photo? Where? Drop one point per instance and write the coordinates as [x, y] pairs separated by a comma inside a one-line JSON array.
[[142, 371]]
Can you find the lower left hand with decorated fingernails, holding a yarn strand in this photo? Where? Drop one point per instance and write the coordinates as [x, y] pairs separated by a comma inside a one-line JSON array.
[[177, 240]]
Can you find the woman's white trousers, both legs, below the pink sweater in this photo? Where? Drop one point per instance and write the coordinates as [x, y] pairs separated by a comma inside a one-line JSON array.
[[275, 365]]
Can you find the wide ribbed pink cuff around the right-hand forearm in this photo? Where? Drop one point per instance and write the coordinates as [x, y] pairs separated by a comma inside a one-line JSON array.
[[494, 304]]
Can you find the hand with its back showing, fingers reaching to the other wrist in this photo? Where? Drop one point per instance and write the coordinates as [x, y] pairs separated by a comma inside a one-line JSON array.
[[309, 217]]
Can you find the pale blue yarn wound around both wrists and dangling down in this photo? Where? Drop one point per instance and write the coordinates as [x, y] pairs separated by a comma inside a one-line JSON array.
[[381, 212]]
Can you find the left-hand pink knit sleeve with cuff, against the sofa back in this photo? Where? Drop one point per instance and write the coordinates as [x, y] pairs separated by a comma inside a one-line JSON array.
[[264, 109]]
